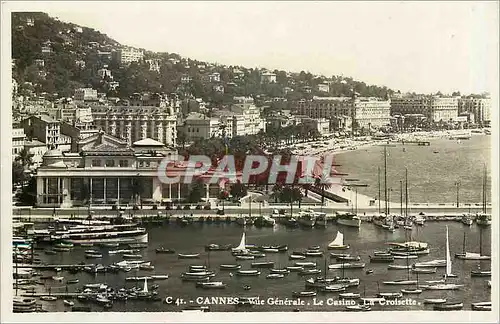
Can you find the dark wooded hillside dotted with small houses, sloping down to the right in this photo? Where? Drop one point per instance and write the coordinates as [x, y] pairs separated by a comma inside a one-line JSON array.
[[54, 58]]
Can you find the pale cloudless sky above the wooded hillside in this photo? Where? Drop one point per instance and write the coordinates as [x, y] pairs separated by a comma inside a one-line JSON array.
[[425, 46]]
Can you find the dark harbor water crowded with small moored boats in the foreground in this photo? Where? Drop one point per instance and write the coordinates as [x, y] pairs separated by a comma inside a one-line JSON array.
[[269, 251]]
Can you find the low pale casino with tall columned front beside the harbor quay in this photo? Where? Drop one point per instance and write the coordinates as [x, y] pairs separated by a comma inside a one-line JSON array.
[[108, 171]]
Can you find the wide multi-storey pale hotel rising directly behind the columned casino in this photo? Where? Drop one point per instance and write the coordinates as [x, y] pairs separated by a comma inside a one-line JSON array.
[[133, 123]]
